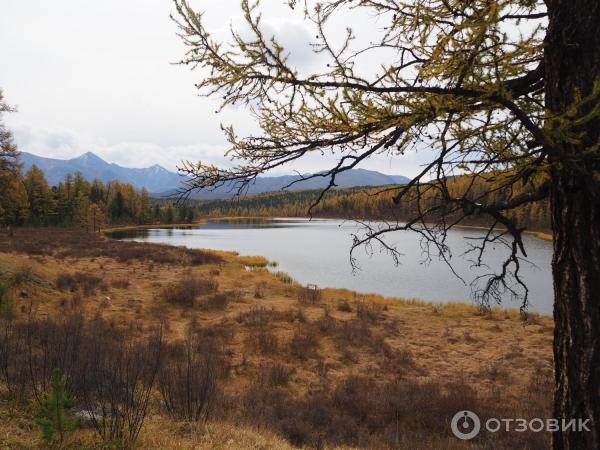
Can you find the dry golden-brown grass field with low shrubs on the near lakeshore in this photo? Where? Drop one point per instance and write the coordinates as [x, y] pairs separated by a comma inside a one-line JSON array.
[[295, 366]]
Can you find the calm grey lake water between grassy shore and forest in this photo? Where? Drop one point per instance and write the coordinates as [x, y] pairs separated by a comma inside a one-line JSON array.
[[317, 252]]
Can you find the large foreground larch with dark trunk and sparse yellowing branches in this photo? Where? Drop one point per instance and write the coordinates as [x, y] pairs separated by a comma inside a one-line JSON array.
[[505, 91]]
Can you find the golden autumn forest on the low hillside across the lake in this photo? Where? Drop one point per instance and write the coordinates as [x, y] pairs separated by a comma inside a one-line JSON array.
[[375, 203]]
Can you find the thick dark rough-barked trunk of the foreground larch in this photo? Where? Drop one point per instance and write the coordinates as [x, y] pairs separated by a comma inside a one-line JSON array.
[[572, 64]]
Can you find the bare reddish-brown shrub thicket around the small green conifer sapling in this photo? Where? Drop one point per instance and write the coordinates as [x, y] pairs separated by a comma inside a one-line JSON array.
[[110, 374]]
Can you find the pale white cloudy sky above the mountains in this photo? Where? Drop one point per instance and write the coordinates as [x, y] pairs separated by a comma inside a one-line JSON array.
[[99, 76]]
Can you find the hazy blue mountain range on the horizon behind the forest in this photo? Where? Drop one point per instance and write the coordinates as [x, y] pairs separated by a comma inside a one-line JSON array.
[[162, 182]]
